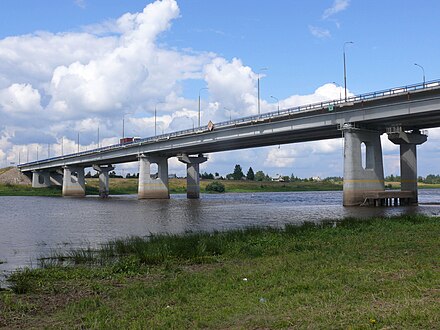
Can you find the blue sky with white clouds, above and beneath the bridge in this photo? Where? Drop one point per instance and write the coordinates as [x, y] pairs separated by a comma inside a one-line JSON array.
[[72, 67]]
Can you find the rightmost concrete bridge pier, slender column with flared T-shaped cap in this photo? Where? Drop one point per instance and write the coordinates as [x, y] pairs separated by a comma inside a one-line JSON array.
[[408, 159]]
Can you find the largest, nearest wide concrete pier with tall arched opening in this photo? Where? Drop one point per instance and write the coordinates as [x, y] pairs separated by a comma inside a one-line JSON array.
[[361, 175]]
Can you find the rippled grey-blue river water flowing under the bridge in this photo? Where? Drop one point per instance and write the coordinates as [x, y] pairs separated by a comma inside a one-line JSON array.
[[31, 227]]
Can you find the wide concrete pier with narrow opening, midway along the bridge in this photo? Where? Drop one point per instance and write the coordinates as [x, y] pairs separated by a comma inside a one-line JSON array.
[[153, 188]]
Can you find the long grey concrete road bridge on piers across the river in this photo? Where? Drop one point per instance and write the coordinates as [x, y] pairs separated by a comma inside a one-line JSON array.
[[402, 113]]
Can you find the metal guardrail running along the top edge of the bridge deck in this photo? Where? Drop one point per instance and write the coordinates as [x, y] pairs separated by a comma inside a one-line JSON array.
[[251, 119]]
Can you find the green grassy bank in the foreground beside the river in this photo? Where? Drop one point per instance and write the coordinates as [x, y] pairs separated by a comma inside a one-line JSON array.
[[382, 273]]
